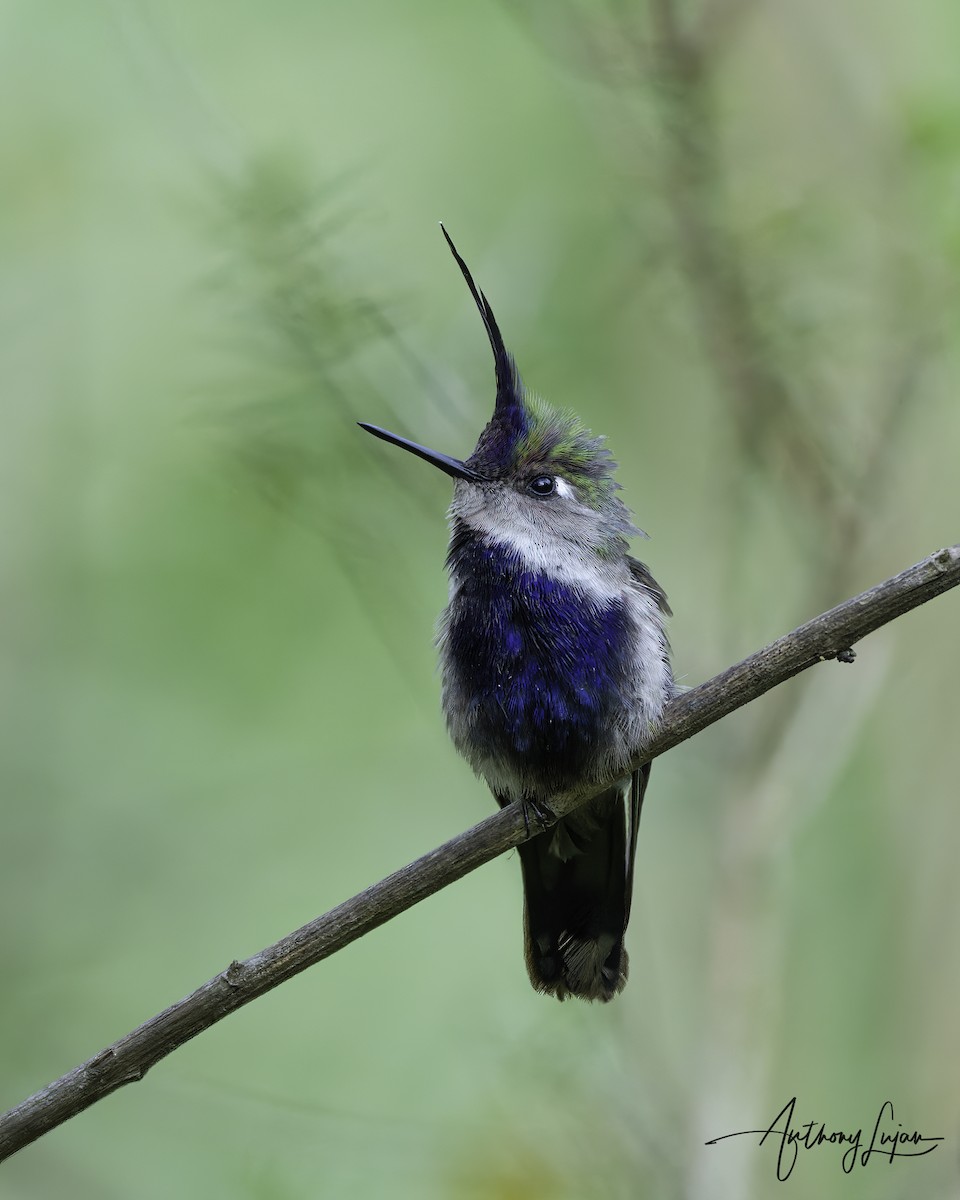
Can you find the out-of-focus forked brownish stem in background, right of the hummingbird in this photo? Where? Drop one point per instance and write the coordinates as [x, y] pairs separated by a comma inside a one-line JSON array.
[[777, 437]]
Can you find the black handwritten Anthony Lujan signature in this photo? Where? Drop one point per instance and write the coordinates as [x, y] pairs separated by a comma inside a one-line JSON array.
[[886, 1141]]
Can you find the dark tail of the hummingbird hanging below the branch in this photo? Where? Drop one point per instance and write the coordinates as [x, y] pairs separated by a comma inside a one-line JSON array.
[[578, 885]]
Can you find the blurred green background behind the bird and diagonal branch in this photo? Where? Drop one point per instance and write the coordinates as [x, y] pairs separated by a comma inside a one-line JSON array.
[[729, 236]]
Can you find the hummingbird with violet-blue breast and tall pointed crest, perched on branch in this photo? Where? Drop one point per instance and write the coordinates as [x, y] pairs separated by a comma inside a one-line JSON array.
[[555, 664]]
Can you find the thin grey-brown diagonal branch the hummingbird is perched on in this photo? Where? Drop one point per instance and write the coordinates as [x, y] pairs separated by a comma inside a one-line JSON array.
[[827, 637]]
